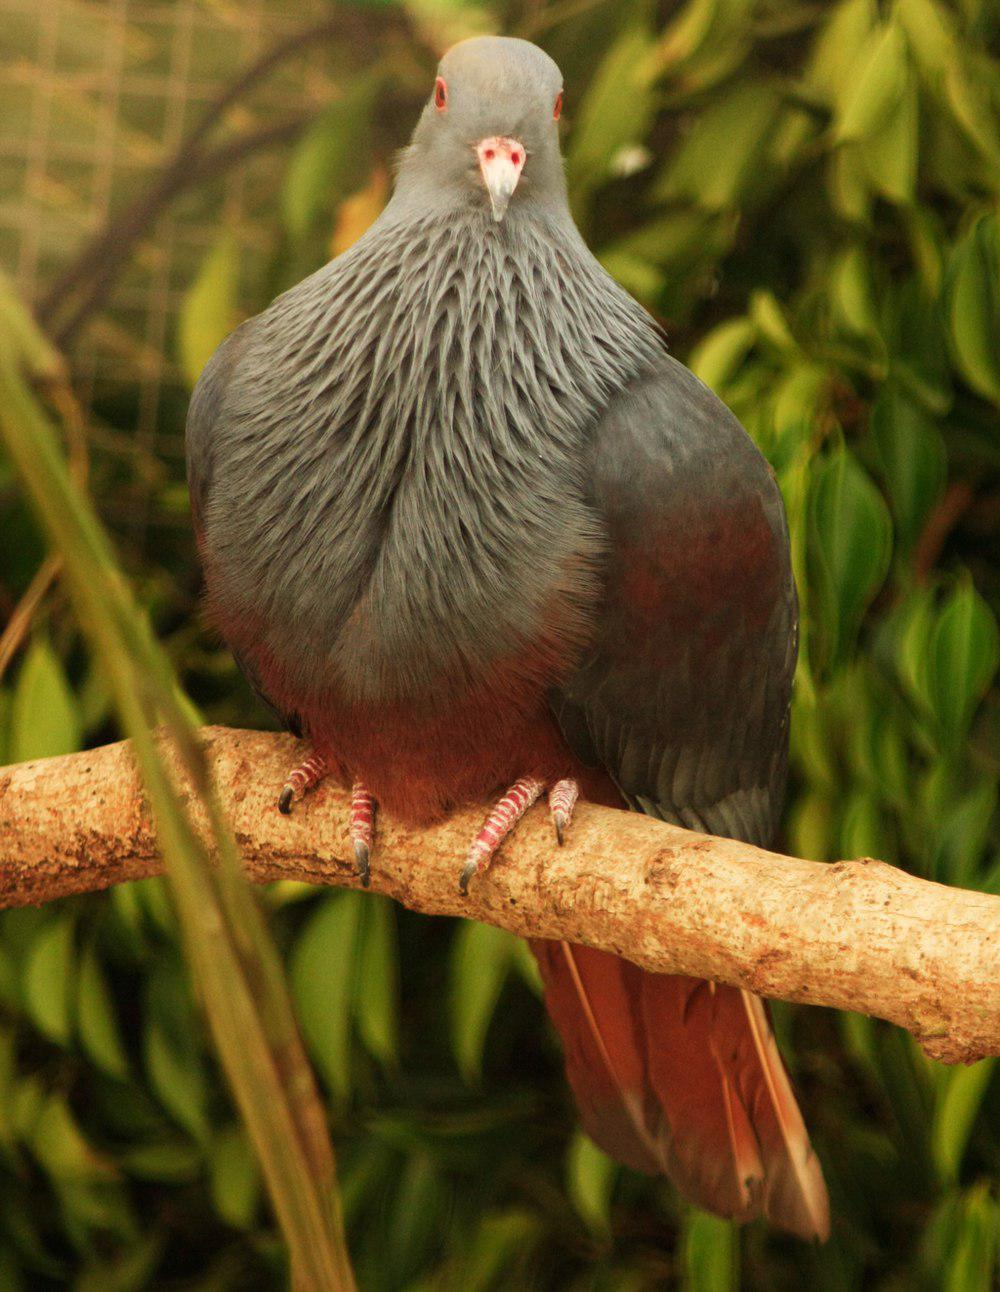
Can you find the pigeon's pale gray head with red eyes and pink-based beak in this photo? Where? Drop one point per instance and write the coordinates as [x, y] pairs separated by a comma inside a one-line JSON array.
[[489, 134]]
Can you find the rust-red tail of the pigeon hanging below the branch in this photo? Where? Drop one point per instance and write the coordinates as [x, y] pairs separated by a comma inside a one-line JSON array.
[[682, 1077]]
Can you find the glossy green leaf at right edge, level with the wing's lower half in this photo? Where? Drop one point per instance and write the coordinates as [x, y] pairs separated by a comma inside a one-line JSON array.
[[962, 662]]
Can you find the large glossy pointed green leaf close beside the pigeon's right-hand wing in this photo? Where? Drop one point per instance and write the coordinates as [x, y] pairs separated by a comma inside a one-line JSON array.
[[851, 543]]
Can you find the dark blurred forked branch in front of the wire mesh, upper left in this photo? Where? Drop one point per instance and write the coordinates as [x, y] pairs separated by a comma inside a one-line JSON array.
[[85, 285]]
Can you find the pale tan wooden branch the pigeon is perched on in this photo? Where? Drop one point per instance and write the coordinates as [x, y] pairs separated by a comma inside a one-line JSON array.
[[859, 936]]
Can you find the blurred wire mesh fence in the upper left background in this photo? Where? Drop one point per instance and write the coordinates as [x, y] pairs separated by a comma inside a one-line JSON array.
[[95, 99]]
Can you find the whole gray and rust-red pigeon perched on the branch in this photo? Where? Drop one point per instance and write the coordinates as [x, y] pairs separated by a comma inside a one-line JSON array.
[[476, 537]]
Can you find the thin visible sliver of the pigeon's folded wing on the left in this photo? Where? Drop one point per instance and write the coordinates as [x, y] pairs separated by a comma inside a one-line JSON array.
[[201, 441]]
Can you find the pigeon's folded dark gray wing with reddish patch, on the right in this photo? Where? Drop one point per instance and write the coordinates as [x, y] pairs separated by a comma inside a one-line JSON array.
[[685, 694]]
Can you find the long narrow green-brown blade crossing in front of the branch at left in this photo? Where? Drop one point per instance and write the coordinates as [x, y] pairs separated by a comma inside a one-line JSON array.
[[237, 966]]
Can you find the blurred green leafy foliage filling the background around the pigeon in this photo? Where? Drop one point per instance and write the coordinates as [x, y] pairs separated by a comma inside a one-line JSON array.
[[808, 196]]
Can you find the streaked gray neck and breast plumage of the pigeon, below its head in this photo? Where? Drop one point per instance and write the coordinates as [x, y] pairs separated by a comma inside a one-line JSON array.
[[441, 379]]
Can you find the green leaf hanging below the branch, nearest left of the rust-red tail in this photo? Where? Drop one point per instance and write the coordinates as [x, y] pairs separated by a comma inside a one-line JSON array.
[[481, 961]]
